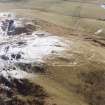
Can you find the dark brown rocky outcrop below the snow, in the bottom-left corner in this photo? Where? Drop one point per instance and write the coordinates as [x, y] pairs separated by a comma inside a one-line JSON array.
[[11, 89]]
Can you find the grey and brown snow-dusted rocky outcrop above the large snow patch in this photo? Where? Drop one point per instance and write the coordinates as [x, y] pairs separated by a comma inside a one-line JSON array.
[[10, 25]]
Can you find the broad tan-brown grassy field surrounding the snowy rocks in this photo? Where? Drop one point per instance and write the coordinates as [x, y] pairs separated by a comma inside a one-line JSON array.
[[77, 78]]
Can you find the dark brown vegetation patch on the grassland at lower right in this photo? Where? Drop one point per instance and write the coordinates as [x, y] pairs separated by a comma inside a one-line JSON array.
[[92, 87]]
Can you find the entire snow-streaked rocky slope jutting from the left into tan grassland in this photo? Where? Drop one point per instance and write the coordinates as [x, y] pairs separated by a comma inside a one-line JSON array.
[[23, 51]]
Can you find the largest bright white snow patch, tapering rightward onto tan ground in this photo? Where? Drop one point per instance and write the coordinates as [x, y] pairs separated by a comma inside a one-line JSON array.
[[36, 47]]
